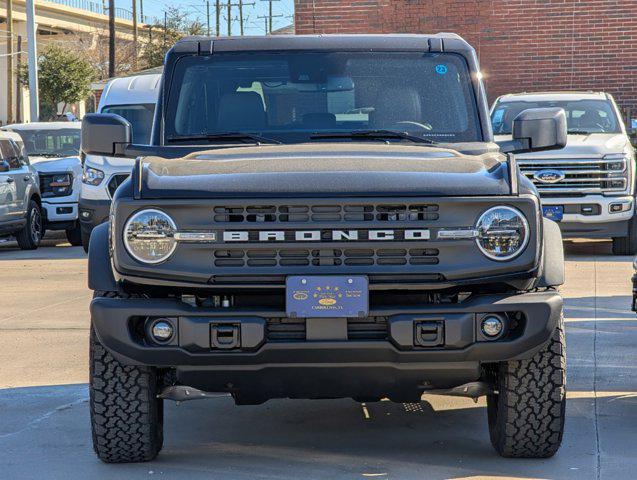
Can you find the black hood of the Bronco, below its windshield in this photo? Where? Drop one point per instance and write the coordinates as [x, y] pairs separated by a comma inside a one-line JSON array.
[[321, 169]]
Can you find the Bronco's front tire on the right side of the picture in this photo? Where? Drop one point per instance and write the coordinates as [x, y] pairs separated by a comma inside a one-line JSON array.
[[526, 415]]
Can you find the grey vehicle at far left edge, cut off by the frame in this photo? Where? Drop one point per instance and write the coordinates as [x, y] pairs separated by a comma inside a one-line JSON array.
[[20, 199]]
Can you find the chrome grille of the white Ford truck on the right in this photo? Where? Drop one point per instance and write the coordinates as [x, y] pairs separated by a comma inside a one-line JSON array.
[[581, 176]]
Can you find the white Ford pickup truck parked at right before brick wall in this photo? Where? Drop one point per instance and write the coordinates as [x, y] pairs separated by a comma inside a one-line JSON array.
[[589, 186]]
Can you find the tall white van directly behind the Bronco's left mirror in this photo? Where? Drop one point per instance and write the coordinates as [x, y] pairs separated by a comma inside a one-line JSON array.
[[133, 98]]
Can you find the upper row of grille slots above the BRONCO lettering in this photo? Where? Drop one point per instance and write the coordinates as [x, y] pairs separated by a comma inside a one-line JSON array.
[[400, 212]]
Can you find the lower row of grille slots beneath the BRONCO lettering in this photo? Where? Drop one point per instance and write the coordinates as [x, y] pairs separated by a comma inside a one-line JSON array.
[[332, 257]]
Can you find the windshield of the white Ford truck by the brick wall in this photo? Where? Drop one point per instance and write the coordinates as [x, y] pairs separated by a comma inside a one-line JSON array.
[[583, 116]]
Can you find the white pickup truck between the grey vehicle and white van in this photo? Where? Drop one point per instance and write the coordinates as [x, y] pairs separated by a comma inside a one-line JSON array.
[[54, 151]]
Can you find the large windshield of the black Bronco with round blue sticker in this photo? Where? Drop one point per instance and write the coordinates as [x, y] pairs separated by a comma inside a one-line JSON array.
[[290, 97]]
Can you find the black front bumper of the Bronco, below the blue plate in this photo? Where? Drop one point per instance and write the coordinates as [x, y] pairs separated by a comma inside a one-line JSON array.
[[264, 367]]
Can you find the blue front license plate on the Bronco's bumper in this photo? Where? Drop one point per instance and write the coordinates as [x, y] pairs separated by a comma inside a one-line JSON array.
[[336, 296]]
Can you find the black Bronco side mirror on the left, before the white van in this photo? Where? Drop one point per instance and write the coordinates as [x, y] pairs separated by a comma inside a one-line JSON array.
[[103, 132]]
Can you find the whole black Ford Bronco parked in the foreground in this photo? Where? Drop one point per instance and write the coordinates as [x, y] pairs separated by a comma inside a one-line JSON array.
[[325, 217]]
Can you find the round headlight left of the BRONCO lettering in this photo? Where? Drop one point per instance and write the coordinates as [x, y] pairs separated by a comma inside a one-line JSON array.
[[149, 236]]
